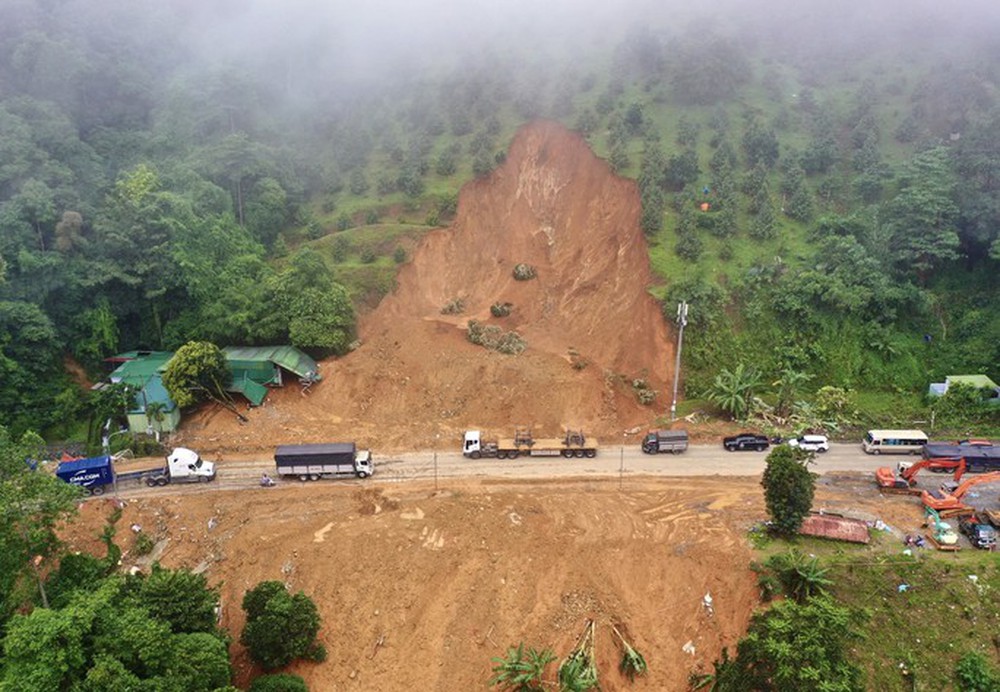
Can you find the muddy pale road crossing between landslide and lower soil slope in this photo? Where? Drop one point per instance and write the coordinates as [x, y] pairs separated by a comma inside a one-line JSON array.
[[698, 460]]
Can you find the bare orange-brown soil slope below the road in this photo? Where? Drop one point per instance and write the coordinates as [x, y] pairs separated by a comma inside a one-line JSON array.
[[419, 589]]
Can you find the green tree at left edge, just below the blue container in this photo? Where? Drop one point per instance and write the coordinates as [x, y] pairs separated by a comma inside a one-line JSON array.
[[32, 504]]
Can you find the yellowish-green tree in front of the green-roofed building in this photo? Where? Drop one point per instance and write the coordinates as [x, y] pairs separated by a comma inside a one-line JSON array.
[[196, 372]]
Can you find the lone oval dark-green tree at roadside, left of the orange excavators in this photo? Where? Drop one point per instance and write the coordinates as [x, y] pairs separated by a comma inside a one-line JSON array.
[[789, 487]]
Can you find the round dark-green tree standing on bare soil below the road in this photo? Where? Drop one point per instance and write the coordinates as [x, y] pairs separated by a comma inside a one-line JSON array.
[[280, 626]]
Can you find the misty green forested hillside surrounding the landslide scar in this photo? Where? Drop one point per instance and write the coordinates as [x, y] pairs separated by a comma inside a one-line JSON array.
[[172, 172]]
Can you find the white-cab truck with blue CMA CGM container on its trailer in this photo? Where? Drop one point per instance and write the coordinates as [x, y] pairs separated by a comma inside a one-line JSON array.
[[96, 474]]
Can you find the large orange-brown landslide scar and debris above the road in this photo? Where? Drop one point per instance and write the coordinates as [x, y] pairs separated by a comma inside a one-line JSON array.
[[590, 325]]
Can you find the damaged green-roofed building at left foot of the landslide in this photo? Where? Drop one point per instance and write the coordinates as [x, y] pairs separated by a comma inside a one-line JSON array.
[[253, 369]]
